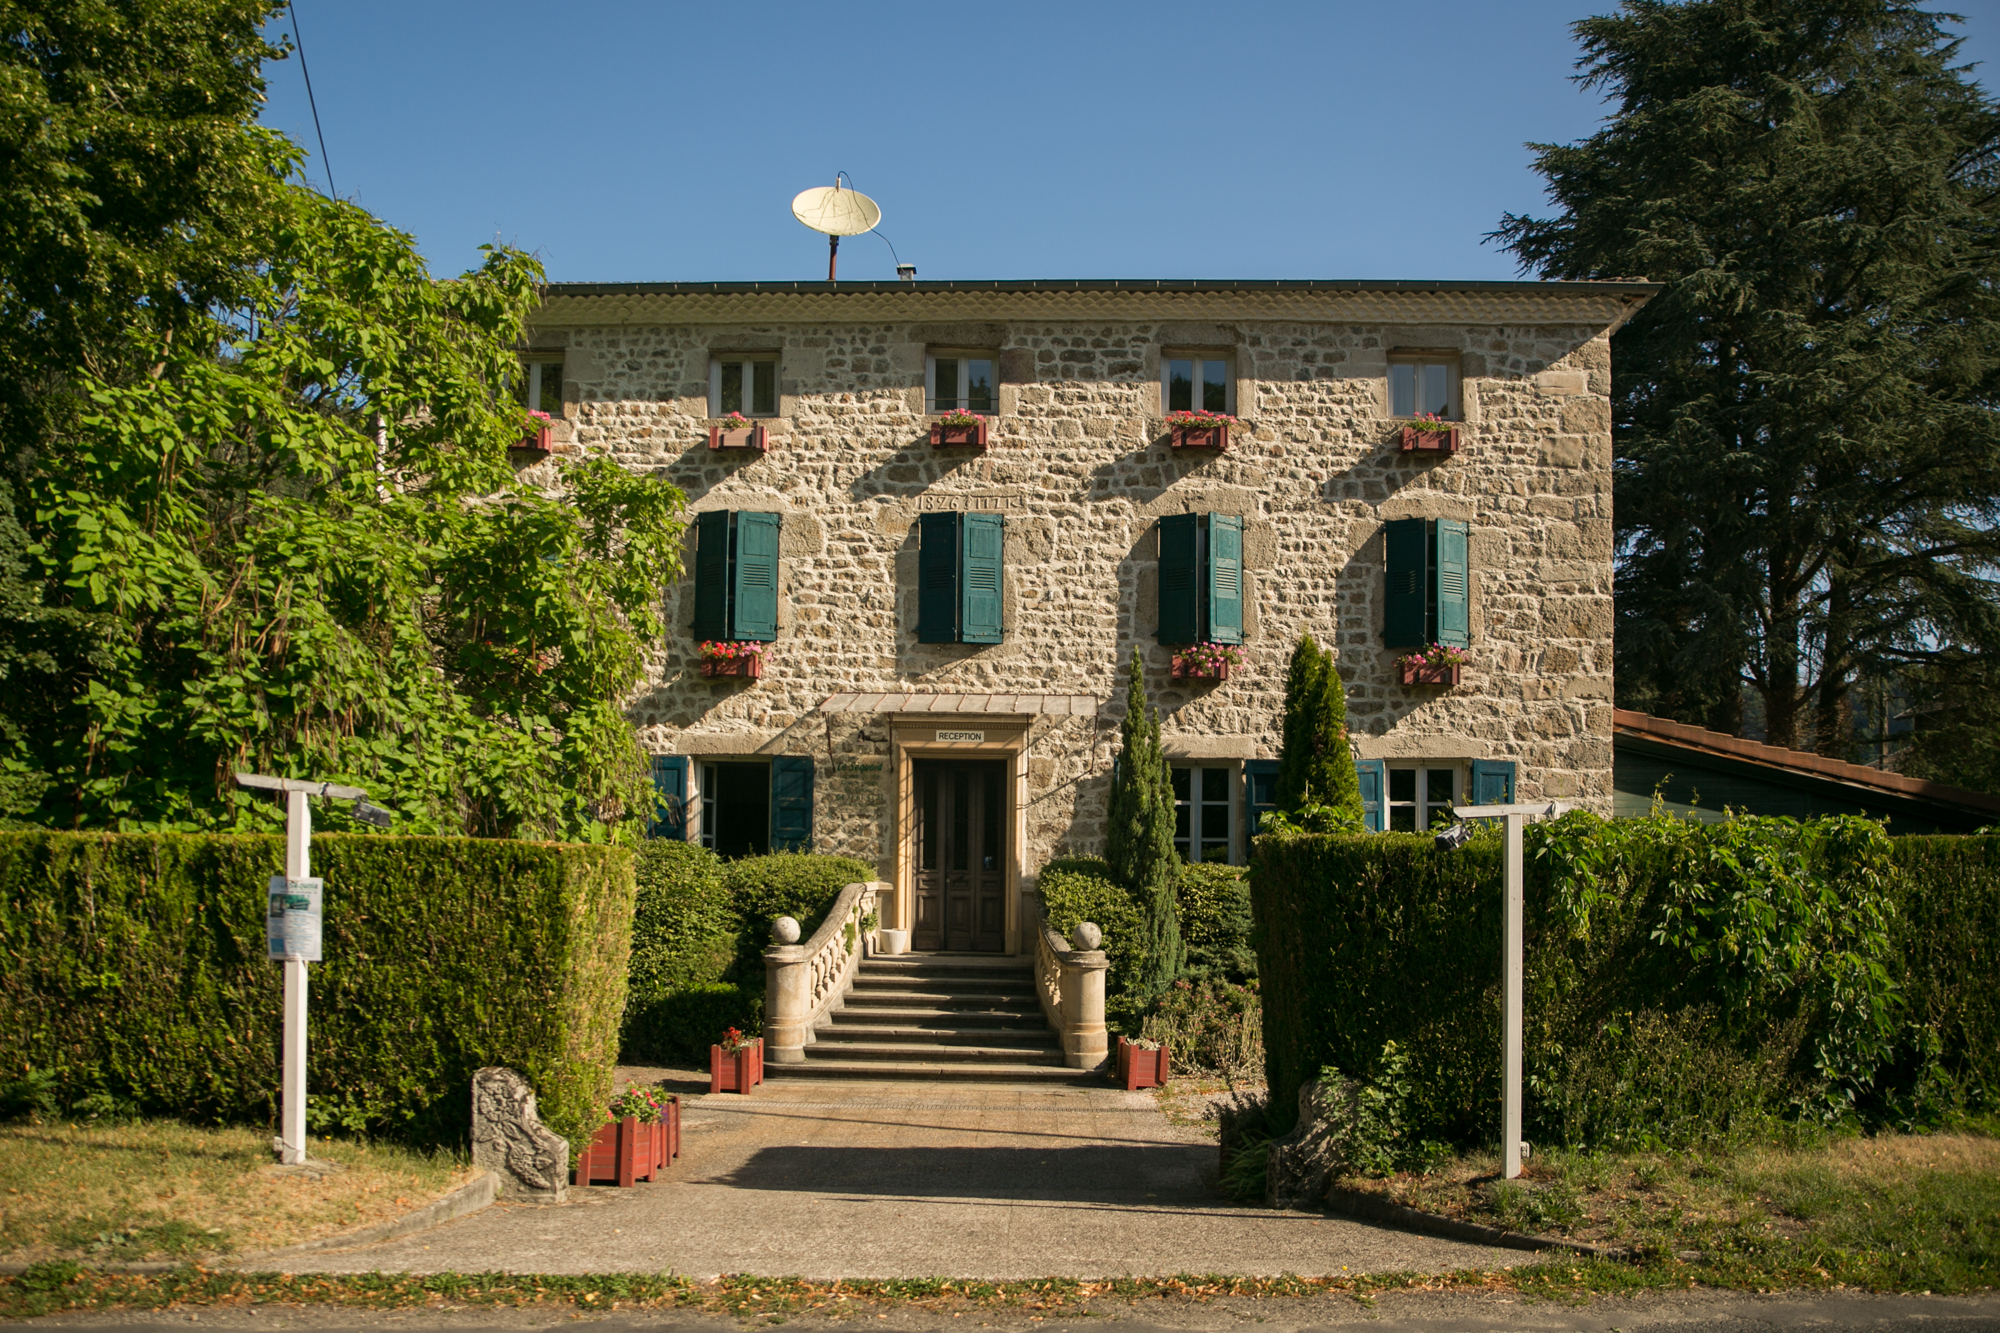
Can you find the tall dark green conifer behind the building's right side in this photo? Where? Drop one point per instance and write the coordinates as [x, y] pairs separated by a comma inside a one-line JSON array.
[[1805, 417]]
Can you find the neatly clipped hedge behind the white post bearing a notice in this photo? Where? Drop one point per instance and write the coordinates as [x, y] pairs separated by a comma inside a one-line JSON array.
[[135, 974]]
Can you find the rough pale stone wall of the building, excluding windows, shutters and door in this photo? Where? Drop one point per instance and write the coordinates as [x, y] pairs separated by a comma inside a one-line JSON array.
[[1081, 469]]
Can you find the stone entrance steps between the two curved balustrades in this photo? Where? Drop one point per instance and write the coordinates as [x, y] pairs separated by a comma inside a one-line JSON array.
[[937, 1016]]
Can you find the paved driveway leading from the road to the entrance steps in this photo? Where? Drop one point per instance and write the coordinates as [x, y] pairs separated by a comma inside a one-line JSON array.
[[917, 1180]]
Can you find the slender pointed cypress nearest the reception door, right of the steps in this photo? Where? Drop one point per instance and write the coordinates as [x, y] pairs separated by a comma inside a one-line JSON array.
[[1141, 840]]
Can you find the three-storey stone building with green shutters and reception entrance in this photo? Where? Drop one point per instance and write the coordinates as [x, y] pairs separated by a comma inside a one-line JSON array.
[[947, 627]]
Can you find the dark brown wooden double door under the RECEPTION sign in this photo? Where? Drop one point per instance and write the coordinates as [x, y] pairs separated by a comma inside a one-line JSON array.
[[961, 856]]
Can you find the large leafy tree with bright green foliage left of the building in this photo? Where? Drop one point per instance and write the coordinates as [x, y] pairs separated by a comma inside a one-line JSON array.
[[263, 513]]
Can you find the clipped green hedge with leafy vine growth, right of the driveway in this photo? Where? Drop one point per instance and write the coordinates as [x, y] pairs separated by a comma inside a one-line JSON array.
[[1683, 980]]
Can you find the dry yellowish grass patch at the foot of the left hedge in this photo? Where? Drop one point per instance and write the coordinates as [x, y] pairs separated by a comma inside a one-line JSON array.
[[161, 1190]]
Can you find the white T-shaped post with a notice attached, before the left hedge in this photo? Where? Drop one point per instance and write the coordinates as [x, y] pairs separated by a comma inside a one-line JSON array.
[[293, 936]]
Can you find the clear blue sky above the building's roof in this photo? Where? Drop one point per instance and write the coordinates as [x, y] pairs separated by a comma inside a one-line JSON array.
[[665, 141]]
